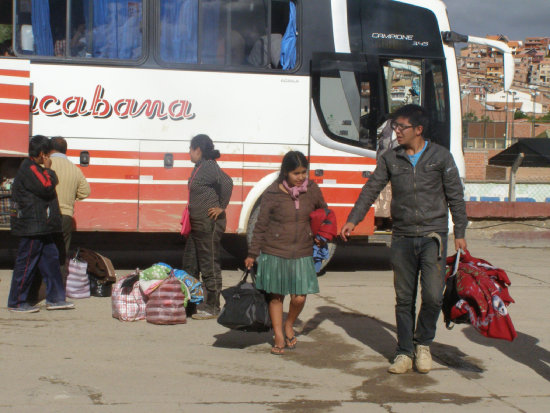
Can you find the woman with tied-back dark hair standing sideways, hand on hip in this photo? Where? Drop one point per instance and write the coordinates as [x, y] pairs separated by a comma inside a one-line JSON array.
[[209, 194]]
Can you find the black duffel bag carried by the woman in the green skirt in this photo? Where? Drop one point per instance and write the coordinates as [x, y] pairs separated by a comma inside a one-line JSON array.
[[246, 308]]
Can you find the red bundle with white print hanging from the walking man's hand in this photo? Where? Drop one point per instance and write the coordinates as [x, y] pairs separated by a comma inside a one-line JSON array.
[[476, 292]]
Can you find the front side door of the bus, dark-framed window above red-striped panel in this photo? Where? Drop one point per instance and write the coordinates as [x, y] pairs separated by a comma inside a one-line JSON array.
[[344, 95]]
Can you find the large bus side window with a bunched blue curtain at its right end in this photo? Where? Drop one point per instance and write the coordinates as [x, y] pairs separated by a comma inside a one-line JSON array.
[[227, 33]]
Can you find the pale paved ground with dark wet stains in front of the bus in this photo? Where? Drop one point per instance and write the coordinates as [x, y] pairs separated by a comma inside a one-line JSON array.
[[85, 361]]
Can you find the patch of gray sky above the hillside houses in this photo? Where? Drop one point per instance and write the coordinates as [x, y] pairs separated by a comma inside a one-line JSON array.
[[517, 19]]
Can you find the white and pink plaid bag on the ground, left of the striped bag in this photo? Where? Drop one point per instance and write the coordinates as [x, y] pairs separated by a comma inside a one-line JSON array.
[[128, 302]]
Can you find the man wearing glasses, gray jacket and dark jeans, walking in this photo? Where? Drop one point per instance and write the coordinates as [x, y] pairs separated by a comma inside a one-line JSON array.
[[425, 185]]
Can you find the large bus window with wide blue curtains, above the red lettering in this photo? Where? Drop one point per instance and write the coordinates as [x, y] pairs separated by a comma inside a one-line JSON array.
[[103, 29]]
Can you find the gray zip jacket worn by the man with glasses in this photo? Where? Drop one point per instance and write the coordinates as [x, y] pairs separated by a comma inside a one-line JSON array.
[[421, 195]]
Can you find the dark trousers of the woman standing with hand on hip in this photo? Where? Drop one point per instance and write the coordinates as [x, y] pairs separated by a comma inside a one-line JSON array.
[[202, 255]]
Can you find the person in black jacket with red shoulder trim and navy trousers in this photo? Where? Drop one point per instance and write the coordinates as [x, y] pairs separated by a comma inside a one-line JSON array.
[[35, 218]]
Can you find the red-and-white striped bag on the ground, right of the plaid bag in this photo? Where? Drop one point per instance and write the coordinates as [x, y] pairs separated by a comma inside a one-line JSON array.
[[166, 303]]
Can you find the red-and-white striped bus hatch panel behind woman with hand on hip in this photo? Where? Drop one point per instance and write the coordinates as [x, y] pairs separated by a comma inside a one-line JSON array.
[[164, 171]]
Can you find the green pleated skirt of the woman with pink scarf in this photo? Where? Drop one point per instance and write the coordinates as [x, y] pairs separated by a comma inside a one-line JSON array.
[[286, 275]]
